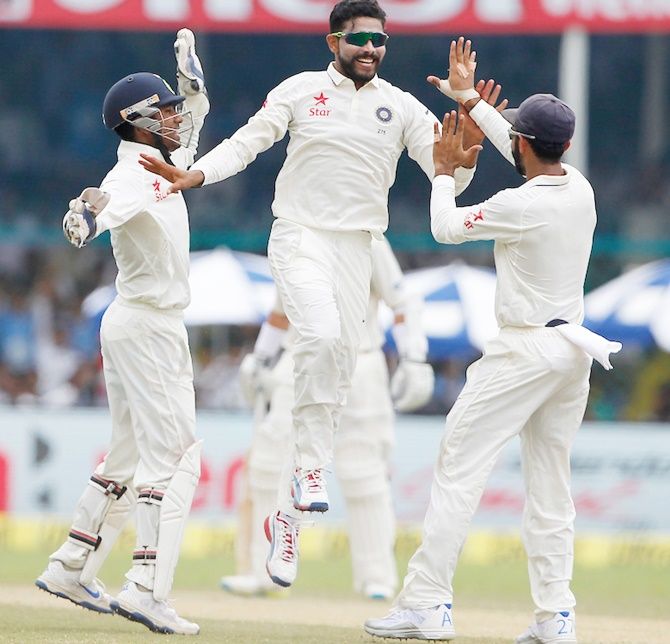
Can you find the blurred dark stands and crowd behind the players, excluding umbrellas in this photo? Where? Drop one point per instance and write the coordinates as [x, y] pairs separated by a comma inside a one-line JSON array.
[[49, 352]]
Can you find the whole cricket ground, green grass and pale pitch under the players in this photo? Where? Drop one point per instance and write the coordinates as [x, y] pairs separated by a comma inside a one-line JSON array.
[[616, 605]]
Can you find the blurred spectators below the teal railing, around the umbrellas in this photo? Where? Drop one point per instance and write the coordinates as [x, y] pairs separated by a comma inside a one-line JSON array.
[[50, 354]]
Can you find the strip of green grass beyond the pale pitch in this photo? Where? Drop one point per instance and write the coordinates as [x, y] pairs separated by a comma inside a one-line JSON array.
[[640, 590]]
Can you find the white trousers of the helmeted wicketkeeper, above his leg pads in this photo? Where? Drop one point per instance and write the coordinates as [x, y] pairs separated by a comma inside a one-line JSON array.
[[149, 379]]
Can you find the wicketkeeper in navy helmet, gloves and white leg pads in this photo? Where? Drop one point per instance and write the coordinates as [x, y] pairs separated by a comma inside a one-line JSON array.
[[153, 462]]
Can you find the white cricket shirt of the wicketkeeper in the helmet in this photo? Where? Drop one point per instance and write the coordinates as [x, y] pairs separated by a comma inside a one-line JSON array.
[[149, 231]]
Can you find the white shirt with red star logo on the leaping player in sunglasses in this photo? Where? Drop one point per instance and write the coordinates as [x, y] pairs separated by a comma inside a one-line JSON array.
[[343, 149]]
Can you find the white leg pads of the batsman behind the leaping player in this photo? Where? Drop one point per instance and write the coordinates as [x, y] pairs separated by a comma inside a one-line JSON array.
[[362, 451]]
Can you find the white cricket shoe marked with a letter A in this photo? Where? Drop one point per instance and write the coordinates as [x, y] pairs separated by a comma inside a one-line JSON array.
[[414, 623]]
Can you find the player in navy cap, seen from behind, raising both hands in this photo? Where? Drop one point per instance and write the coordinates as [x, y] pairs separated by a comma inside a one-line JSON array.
[[532, 381]]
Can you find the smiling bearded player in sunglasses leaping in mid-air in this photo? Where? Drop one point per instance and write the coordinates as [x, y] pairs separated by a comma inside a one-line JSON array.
[[347, 129]]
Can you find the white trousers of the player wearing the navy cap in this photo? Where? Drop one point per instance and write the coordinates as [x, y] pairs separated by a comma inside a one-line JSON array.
[[530, 382]]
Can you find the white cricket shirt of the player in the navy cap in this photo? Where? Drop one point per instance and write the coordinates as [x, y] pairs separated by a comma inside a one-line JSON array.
[[543, 232]]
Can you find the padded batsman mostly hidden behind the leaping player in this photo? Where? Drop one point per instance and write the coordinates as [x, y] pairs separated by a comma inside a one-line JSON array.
[[363, 442]]
